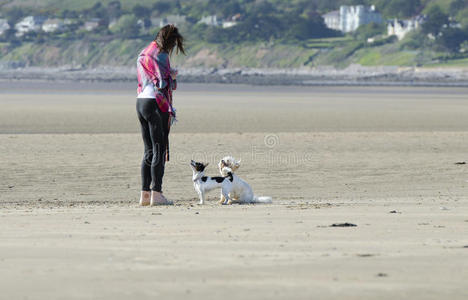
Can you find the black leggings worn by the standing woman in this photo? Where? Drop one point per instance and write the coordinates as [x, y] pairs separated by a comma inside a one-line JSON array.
[[154, 129]]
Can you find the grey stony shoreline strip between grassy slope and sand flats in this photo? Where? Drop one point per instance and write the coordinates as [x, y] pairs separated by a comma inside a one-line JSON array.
[[323, 76]]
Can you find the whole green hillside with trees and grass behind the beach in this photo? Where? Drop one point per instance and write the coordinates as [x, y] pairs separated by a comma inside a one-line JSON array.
[[291, 34]]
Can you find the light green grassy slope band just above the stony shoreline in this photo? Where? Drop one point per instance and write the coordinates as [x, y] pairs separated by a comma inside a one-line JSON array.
[[261, 55]]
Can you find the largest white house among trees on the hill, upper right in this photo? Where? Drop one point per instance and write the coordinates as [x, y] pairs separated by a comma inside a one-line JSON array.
[[349, 18]]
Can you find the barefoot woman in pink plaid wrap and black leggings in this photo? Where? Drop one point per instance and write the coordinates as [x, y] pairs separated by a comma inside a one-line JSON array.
[[156, 81]]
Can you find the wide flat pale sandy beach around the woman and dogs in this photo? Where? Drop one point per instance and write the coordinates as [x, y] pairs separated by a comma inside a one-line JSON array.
[[389, 160]]
